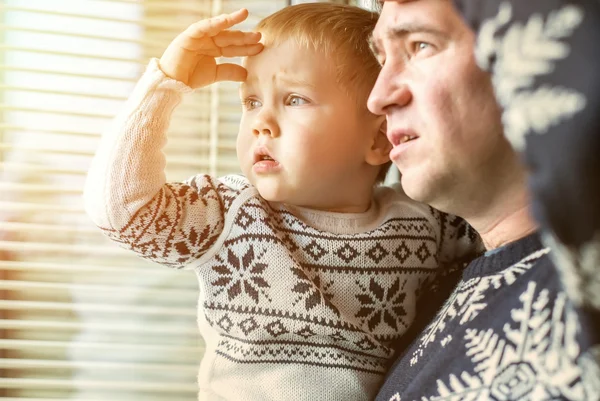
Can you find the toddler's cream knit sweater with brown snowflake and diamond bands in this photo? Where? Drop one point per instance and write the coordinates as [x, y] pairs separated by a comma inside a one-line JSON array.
[[294, 303]]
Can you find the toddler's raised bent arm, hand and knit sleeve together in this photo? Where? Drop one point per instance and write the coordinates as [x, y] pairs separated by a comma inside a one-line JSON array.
[[126, 193]]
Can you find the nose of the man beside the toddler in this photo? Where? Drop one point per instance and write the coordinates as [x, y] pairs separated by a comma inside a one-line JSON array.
[[389, 91]]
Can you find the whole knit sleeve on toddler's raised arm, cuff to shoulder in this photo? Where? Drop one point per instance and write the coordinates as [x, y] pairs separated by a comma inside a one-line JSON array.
[[126, 193]]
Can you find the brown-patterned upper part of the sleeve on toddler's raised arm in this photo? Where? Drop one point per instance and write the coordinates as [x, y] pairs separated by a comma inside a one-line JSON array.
[[179, 224]]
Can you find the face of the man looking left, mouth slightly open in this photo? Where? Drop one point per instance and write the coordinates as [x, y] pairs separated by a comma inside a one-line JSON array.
[[442, 117]]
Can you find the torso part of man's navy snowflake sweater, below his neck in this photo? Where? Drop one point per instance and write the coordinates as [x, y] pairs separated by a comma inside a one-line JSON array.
[[504, 334]]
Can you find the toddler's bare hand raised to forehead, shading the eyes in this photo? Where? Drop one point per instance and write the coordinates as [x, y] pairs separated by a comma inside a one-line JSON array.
[[190, 58]]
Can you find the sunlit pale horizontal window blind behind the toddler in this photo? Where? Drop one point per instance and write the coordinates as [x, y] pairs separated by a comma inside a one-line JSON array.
[[80, 318]]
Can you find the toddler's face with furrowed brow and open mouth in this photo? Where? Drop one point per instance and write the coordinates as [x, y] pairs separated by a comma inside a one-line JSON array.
[[302, 139]]
